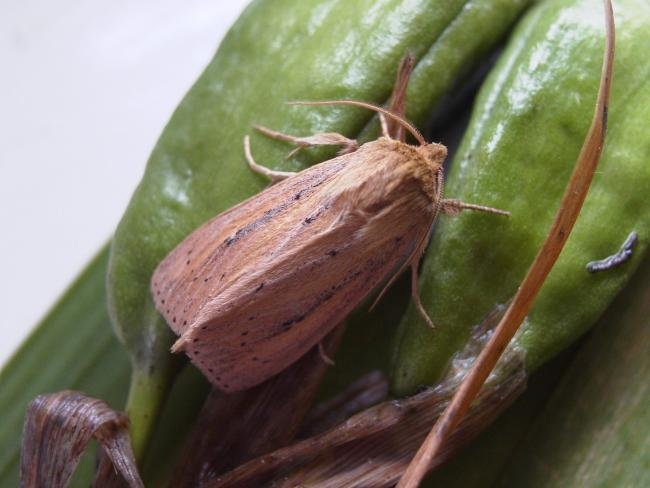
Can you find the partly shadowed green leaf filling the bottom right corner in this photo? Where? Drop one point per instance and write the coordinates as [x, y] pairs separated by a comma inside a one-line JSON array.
[[585, 417]]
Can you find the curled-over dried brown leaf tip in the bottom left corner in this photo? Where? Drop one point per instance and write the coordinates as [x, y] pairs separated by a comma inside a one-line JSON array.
[[57, 429]]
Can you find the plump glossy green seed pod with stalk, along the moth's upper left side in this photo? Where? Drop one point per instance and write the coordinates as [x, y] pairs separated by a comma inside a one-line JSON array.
[[278, 50]]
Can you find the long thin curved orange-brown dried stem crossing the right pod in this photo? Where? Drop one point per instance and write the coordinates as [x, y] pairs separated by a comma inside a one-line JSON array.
[[572, 200]]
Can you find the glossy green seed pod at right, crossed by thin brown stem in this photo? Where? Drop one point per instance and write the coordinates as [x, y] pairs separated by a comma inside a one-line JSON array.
[[526, 131]]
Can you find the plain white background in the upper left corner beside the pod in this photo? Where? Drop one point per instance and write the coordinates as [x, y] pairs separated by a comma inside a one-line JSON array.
[[85, 89]]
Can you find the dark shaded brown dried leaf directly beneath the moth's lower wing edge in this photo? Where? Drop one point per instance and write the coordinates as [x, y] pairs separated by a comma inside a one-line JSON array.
[[232, 429]]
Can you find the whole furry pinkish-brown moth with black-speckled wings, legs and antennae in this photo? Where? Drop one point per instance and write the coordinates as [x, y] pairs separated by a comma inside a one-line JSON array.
[[256, 287]]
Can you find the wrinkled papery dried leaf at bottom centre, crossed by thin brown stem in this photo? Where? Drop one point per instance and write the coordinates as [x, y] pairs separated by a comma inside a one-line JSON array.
[[374, 447]]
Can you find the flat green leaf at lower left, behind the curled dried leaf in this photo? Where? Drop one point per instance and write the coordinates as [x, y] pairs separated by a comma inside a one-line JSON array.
[[72, 348]]
